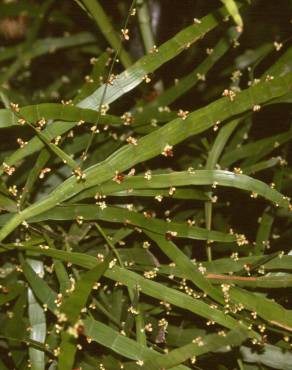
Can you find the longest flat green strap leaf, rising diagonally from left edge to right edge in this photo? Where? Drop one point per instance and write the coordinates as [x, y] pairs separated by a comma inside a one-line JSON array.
[[154, 143]]
